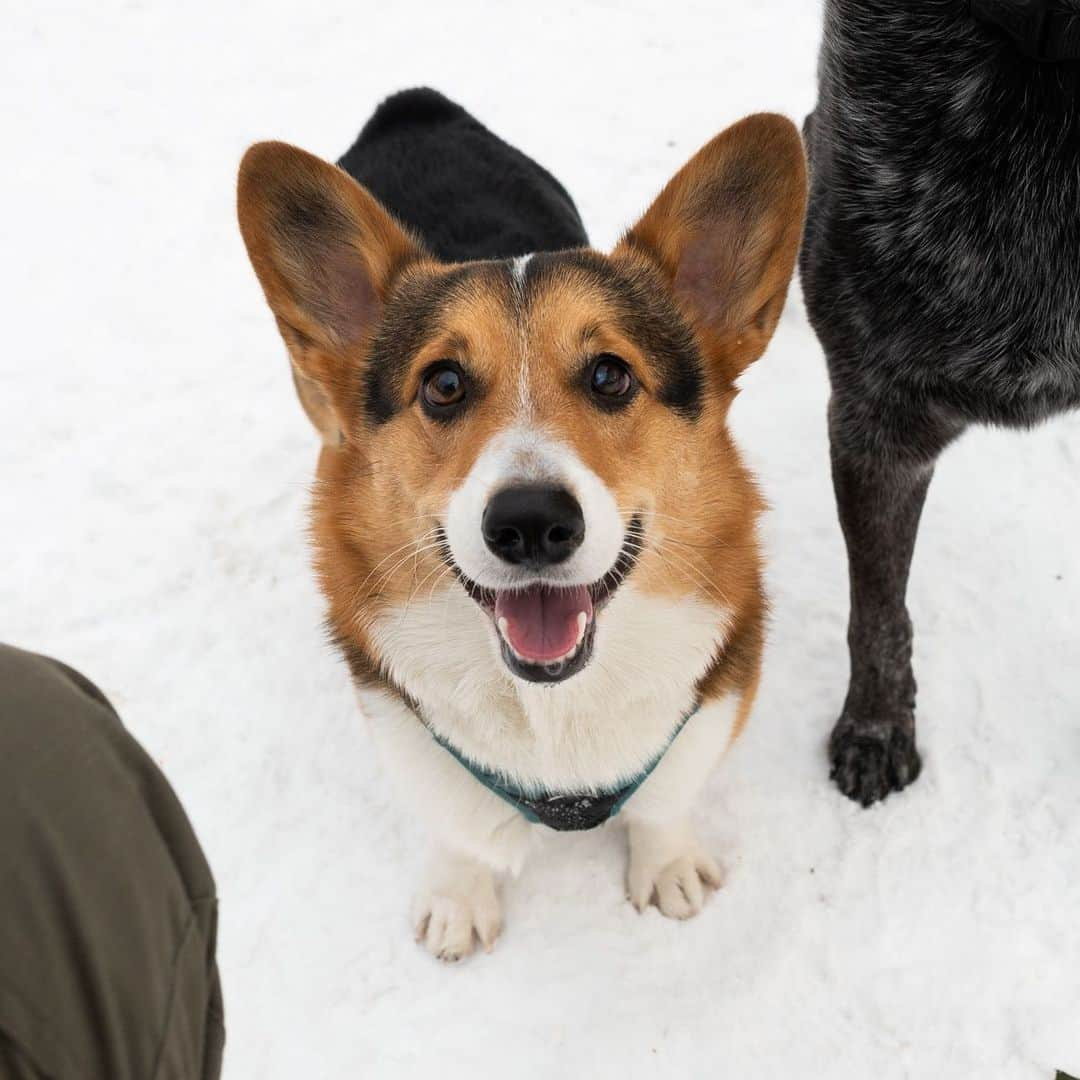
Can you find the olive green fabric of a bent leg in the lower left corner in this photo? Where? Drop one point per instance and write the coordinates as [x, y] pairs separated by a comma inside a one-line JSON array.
[[107, 908]]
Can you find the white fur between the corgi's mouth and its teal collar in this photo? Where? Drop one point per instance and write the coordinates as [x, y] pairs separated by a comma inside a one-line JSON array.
[[598, 730]]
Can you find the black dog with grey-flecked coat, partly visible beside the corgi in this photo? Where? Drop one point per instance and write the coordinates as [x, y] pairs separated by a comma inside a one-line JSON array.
[[942, 275]]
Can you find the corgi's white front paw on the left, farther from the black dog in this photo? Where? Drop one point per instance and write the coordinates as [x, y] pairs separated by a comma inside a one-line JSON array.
[[457, 907]]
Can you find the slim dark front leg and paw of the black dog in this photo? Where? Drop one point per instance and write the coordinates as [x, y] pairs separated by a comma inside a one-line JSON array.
[[881, 499]]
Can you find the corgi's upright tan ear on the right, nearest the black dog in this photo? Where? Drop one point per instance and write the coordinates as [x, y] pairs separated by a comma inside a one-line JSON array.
[[726, 232]]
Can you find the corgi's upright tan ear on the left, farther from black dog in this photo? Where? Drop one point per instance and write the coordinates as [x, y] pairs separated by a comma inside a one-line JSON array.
[[327, 254]]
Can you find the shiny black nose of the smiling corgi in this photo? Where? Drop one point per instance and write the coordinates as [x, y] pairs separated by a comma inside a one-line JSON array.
[[536, 526]]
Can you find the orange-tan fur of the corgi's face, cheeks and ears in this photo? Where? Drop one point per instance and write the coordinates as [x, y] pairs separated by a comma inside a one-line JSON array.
[[382, 491]]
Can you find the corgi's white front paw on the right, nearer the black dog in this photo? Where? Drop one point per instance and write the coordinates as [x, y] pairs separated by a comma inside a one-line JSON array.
[[668, 868]]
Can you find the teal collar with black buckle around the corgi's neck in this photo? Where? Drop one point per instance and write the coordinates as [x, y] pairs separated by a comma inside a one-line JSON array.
[[557, 811]]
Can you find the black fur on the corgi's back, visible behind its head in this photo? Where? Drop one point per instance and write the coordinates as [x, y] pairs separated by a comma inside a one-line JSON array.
[[469, 195]]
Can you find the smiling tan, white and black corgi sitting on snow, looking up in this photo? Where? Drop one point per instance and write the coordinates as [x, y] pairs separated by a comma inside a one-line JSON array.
[[535, 535]]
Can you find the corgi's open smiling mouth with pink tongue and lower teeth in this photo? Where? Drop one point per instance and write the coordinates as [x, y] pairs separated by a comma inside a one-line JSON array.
[[546, 631]]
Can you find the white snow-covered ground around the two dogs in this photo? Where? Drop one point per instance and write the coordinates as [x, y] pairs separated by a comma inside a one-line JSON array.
[[154, 465]]
